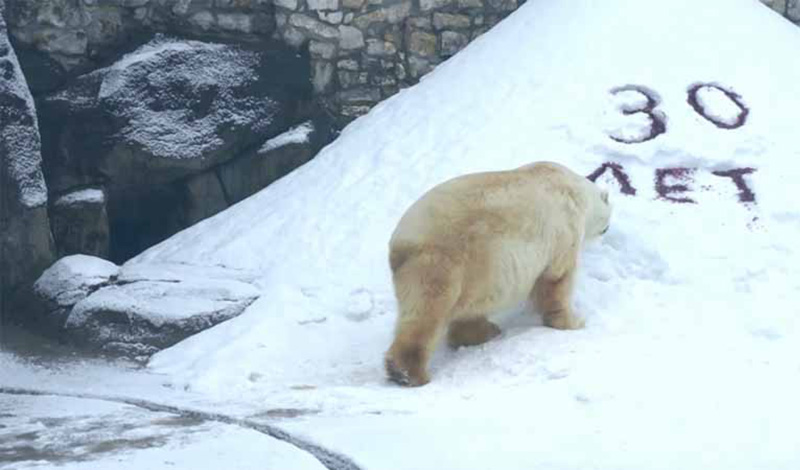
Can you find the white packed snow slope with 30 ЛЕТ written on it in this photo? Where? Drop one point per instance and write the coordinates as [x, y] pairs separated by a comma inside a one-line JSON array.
[[691, 353]]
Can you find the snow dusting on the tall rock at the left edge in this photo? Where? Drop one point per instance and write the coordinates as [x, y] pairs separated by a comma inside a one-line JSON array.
[[19, 130]]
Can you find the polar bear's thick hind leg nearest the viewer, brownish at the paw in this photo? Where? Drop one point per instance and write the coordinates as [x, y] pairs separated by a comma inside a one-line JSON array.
[[427, 284]]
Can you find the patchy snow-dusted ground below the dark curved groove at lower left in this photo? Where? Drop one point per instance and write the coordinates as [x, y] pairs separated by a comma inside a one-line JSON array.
[[38, 432]]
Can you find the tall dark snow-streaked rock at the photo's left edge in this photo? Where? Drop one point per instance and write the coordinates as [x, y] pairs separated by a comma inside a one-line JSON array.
[[26, 246]]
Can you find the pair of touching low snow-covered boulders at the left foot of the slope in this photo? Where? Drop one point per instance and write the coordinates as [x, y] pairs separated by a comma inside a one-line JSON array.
[[138, 309]]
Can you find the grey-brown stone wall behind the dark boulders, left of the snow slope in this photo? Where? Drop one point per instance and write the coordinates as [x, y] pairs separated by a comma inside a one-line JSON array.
[[361, 51]]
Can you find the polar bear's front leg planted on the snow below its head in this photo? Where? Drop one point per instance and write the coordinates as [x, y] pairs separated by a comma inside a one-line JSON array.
[[553, 299]]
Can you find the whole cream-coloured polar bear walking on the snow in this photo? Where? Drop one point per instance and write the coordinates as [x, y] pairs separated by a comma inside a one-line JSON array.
[[482, 243]]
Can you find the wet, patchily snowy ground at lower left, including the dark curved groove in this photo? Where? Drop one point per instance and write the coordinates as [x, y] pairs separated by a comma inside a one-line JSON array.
[[63, 409]]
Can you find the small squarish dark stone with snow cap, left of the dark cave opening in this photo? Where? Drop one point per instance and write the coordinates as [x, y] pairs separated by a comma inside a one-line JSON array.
[[80, 223]]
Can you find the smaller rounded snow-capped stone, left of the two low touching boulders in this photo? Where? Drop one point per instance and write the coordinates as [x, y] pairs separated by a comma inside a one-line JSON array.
[[67, 282]]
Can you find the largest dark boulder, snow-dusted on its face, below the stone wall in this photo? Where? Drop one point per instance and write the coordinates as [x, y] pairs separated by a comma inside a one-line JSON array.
[[167, 110]]
